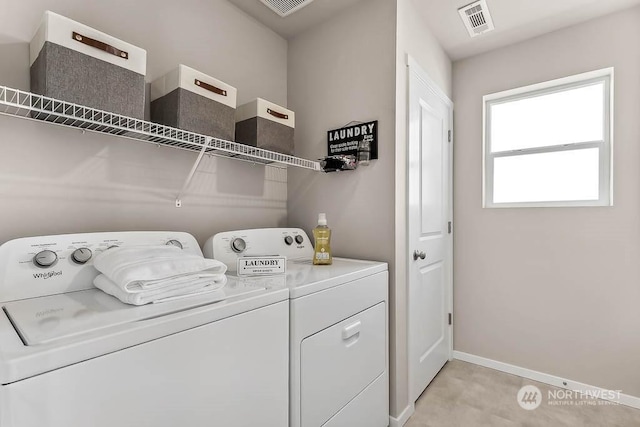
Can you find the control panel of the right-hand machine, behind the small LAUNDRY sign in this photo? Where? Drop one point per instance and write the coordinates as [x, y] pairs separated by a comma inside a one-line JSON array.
[[228, 246]]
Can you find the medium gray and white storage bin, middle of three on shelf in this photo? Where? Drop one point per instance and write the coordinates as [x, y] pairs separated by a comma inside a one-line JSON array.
[[190, 100]]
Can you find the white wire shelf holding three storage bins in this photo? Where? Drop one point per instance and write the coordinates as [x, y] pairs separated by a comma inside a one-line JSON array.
[[14, 102]]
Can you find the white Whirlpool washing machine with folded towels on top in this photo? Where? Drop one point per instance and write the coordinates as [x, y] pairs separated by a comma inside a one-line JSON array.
[[71, 355]]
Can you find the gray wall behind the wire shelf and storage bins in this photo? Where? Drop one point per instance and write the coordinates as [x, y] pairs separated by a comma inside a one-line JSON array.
[[54, 180]]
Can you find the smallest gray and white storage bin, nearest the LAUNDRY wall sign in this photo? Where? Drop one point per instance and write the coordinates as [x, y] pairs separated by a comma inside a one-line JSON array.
[[264, 124]]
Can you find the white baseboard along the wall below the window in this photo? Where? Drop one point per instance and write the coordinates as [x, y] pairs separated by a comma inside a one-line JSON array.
[[624, 399]]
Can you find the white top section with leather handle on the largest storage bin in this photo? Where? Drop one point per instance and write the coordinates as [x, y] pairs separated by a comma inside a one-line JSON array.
[[84, 39]]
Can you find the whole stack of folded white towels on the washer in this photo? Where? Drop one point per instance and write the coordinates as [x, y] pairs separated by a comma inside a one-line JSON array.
[[143, 274]]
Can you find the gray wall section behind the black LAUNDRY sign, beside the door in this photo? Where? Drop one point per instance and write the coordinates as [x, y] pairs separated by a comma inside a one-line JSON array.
[[339, 71]]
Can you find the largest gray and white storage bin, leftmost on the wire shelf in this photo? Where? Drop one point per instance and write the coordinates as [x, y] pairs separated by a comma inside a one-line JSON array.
[[76, 63]]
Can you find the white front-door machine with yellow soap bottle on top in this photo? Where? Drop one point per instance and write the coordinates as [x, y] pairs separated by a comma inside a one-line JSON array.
[[338, 328]]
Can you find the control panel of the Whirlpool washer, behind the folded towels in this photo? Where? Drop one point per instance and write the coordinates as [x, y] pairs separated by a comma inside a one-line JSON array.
[[38, 266]]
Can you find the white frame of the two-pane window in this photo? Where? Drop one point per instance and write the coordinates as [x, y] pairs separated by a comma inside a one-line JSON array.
[[605, 146]]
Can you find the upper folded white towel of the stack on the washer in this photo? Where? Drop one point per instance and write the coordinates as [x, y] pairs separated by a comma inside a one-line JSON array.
[[150, 263]]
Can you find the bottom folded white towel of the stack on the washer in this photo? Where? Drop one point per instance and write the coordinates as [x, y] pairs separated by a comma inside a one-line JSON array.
[[186, 286]]
